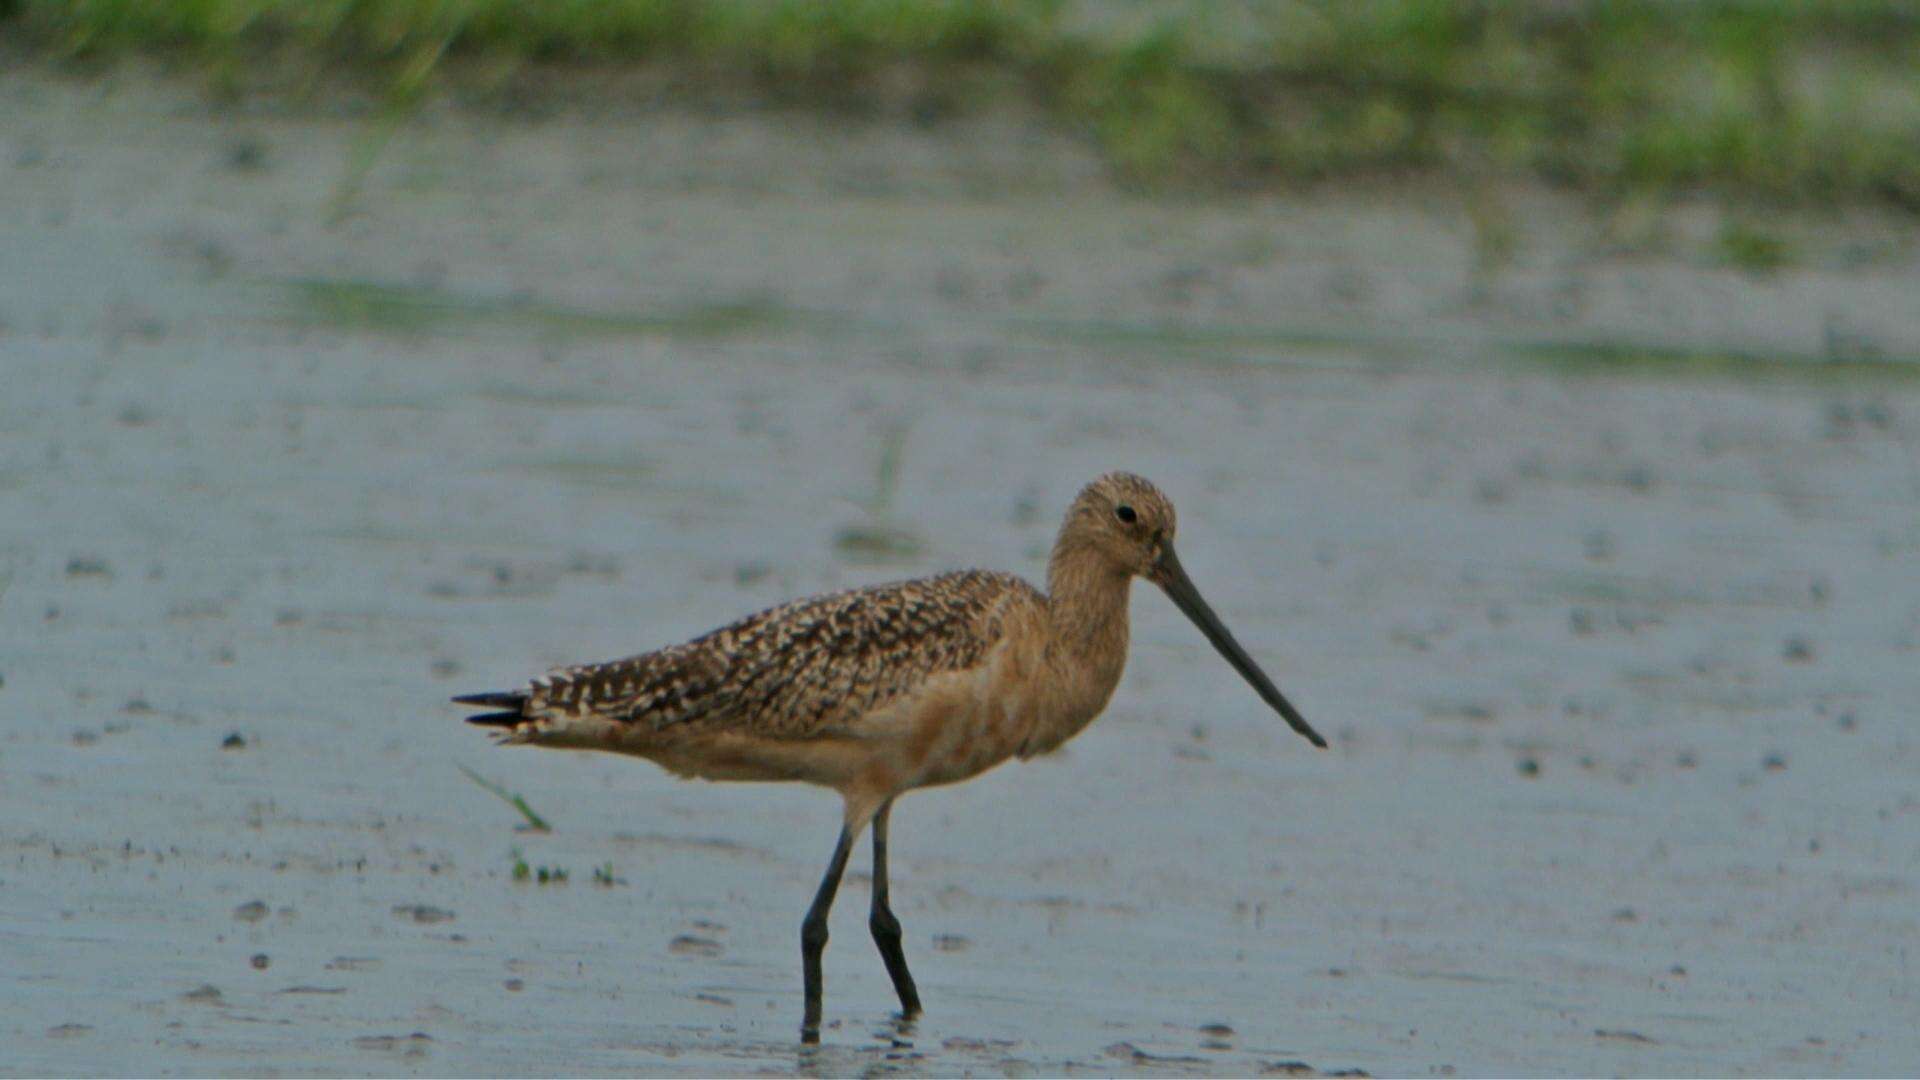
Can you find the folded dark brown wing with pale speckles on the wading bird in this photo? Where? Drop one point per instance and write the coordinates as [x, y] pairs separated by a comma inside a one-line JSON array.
[[804, 668]]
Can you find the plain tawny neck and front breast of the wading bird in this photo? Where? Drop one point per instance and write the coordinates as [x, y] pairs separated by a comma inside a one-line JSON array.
[[1088, 626]]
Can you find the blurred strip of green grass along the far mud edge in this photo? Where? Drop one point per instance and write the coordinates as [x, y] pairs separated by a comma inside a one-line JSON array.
[[1806, 103]]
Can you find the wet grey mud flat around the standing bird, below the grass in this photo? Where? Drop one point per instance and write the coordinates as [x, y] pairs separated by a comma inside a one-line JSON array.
[[1618, 658]]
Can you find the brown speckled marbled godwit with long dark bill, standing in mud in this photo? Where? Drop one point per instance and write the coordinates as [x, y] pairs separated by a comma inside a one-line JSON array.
[[888, 689]]
